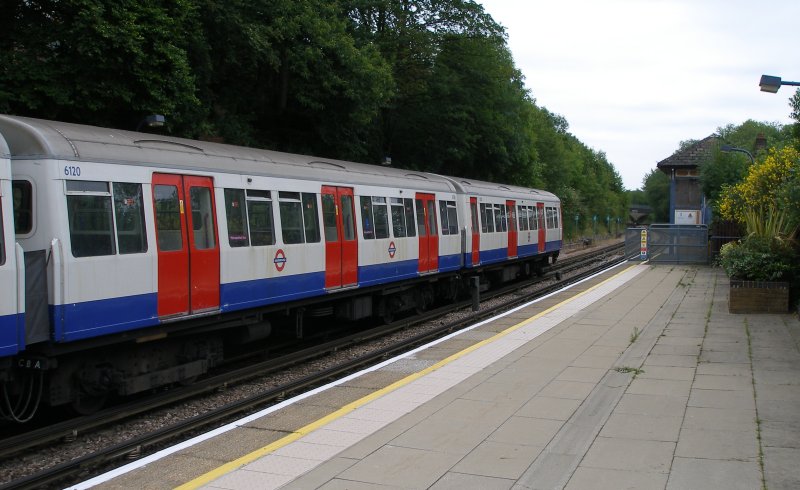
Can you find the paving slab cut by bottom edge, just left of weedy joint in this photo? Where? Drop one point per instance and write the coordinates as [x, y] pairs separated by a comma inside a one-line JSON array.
[[695, 473]]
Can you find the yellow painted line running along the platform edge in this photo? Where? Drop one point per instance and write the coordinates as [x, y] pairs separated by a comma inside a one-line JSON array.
[[307, 429]]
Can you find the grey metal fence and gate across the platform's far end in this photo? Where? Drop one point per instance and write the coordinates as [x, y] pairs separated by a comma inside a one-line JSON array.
[[665, 243]]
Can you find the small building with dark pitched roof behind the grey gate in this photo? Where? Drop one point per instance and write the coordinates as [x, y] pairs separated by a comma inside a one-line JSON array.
[[687, 204]]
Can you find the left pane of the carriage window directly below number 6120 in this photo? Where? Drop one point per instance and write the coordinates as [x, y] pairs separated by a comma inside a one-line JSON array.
[[90, 216]]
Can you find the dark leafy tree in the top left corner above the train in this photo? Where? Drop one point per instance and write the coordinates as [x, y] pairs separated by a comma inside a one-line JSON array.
[[99, 62]]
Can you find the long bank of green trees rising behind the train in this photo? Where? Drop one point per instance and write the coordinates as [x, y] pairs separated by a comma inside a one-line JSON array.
[[430, 84]]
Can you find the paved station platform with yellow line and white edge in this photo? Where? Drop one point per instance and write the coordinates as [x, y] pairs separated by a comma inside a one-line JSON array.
[[638, 378]]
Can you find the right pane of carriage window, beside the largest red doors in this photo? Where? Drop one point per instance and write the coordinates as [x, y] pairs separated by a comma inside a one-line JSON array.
[[129, 216]]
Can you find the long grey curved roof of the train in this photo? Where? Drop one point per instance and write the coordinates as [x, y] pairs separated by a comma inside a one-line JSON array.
[[29, 138]]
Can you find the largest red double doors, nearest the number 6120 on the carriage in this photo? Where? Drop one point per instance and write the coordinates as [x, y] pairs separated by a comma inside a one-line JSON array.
[[188, 249]]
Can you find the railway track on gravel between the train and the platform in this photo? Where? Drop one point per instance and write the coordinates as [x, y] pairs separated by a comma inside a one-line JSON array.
[[567, 271]]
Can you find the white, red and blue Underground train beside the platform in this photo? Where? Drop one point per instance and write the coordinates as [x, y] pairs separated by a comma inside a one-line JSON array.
[[132, 261]]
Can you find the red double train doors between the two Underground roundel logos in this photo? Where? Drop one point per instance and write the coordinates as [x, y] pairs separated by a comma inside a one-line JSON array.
[[341, 246]]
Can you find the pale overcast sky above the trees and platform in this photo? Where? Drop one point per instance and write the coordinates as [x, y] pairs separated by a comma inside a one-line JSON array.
[[634, 78]]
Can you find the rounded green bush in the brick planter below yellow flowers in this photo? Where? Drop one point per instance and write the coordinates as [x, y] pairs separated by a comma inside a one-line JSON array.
[[758, 258]]
